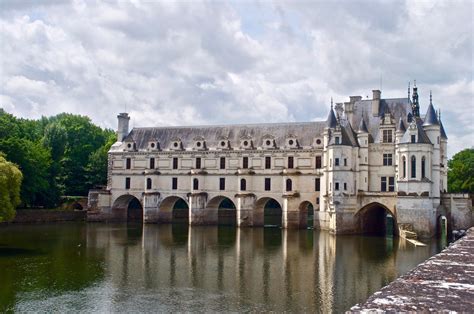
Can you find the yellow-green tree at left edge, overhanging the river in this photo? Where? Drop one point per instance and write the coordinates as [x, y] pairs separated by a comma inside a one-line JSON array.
[[10, 183]]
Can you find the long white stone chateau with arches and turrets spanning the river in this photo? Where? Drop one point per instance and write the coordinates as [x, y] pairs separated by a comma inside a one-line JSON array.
[[374, 165]]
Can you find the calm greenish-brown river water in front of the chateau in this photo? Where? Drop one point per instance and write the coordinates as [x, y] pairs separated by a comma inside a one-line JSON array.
[[134, 268]]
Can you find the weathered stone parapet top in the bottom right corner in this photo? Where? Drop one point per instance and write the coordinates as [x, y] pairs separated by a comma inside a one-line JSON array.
[[443, 283]]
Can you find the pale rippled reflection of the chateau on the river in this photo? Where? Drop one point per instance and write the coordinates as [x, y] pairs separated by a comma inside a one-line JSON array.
[[175, 267]]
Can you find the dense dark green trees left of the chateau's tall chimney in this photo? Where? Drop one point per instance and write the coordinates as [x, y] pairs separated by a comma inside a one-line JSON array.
[[61, 155]]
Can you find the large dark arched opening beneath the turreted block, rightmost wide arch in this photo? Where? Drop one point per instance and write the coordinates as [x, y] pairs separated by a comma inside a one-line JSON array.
[[376, 219]]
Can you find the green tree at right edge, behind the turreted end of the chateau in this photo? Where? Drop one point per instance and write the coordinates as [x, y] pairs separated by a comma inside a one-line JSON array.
[[461, 172]]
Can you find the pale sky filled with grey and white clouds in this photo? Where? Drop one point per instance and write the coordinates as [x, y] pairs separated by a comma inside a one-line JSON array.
[[215, 62]]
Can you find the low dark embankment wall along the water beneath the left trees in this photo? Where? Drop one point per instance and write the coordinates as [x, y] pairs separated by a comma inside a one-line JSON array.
[[48, 215]]
